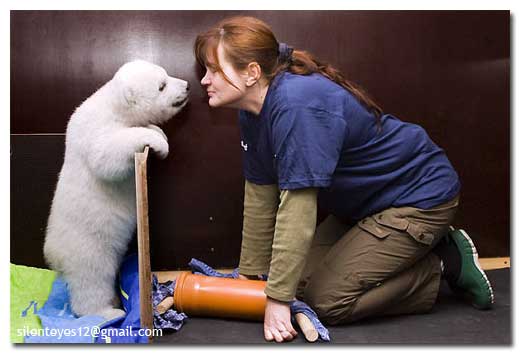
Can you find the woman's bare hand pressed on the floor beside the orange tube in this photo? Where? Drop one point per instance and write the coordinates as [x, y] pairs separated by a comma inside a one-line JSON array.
[[277, 321]]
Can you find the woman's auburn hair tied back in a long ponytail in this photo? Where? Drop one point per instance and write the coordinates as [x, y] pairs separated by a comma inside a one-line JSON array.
[[247, 39]]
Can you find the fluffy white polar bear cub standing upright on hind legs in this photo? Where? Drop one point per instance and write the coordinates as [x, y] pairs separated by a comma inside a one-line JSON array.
[[93, 213]]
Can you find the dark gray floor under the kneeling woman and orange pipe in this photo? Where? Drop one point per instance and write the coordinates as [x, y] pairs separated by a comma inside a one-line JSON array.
[[450, 322]]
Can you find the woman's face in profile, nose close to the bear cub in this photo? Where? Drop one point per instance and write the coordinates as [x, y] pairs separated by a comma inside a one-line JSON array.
[[220, 92]]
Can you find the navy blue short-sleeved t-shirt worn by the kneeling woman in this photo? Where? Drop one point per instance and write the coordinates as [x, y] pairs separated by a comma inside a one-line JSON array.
[[311, 132]]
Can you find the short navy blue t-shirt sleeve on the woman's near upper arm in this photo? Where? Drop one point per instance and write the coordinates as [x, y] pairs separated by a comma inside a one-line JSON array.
[[307, 143]]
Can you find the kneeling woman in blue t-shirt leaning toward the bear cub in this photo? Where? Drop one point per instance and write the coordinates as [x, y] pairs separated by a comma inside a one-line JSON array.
[[311, 137]]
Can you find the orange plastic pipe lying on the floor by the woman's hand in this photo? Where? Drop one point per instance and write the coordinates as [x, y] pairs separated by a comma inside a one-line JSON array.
[[200, 295]]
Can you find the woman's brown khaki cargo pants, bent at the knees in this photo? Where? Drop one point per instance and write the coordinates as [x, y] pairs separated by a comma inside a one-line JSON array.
[[380, 266]]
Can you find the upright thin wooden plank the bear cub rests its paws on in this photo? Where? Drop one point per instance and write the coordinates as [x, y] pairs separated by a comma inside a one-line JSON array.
[[143, 241]]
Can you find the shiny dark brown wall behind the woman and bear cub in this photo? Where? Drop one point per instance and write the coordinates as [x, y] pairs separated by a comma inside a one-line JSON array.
[[445, 70]]
